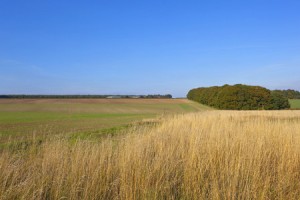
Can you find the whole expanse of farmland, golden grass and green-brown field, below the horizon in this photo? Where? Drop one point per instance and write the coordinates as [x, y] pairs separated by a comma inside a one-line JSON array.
[[146, 149]]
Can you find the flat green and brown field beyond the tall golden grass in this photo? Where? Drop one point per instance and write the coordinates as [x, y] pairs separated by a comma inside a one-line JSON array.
[[22, 118]]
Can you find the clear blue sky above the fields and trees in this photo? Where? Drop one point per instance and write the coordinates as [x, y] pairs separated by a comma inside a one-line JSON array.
[[146, 47]]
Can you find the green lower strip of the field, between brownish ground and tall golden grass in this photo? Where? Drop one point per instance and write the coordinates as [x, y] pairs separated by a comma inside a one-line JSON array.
[[25, 124]]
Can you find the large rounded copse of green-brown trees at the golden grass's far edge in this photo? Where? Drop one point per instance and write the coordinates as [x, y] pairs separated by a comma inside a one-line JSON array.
[[239, 97]]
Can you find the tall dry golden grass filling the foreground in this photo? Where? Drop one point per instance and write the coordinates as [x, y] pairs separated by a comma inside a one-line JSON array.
[[209, 155]]
